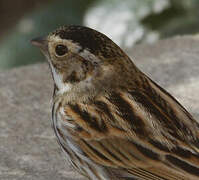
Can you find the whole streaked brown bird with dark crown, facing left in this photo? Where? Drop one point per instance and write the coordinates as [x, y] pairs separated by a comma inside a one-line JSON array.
[[111, 120]]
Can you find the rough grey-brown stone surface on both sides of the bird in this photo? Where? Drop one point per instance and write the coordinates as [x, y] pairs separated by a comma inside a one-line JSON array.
[[28, 148]]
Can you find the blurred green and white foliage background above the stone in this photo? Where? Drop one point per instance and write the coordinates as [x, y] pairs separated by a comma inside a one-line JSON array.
[[127, 22]]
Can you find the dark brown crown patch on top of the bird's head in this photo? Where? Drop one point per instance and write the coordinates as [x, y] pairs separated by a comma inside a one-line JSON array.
[[90, 39]]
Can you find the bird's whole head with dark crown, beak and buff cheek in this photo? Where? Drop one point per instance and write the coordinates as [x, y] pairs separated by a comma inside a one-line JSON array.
[[82, 58]]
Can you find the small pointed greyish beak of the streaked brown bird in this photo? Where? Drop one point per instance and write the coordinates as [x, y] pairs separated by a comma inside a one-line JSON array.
[[41, 42]]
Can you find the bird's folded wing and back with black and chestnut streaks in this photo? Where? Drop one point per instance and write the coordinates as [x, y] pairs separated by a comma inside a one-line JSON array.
[[144, 131]]
